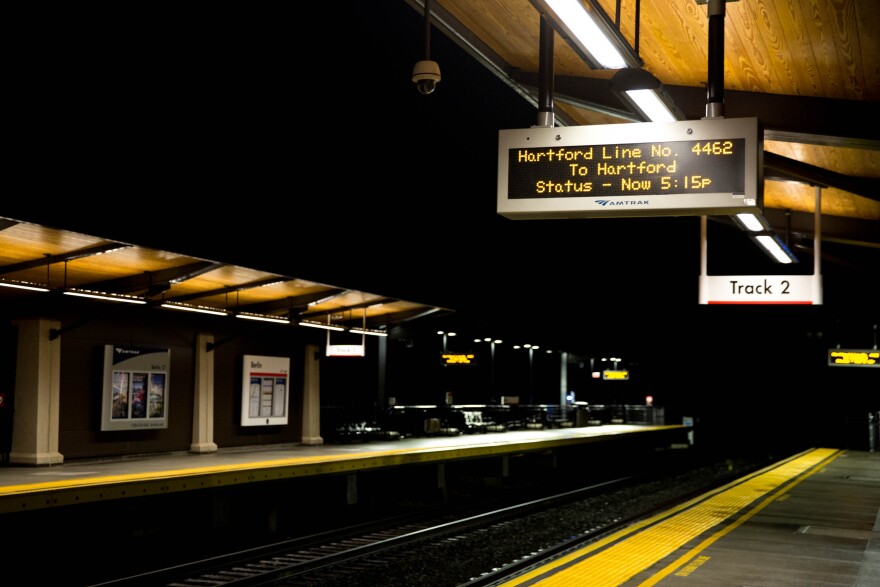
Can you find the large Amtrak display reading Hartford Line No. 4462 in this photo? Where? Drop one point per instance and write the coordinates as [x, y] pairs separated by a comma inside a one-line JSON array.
[[694, 167]]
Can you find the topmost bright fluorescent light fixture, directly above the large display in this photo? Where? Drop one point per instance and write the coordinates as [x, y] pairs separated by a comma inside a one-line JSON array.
[[590, 33]]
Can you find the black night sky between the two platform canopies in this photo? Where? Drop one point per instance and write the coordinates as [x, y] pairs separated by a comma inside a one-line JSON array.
[[293, 141]]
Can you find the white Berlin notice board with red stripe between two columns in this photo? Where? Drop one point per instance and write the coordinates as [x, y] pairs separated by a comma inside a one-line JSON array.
[[265, 385]]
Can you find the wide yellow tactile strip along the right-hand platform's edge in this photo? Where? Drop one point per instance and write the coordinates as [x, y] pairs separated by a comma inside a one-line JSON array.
[[622, 555]]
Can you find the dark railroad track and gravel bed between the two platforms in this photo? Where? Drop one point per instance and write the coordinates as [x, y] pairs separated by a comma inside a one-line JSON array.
[[454, 548]]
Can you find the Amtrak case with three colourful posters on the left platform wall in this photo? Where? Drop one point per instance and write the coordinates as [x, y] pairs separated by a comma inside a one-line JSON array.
[[135, 394]]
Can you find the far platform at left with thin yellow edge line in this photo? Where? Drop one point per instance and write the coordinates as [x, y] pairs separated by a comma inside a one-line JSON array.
[[29, 488]]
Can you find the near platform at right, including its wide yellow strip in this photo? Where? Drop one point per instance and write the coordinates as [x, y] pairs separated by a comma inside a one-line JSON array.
[[813, 519]]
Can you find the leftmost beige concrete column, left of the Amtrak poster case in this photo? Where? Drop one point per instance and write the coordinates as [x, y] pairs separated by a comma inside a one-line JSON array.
[[37, 394]]
